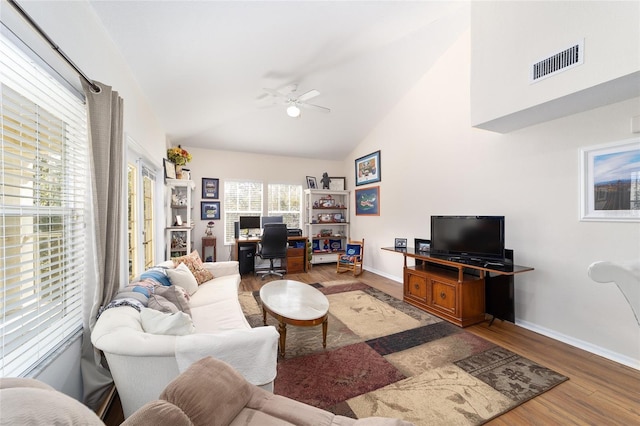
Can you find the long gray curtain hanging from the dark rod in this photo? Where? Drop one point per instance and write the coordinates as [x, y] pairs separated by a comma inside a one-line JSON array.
[[104, 116]]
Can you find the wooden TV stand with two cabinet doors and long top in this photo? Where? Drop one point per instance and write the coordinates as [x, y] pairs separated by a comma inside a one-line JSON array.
[[451, 290]]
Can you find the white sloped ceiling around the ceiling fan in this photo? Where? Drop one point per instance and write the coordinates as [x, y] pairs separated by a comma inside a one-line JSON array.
[[203, 65]]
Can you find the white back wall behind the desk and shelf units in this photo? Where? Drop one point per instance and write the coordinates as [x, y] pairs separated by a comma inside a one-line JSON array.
[[236, 165]]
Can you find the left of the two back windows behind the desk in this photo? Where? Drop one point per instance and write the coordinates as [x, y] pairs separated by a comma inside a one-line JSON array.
[[241, 198]]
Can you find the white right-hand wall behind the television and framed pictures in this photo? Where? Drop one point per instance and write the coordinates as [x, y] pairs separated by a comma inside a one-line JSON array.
[[532, 177]]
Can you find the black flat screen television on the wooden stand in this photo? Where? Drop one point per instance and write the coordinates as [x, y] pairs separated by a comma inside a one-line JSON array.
[[468, 237]]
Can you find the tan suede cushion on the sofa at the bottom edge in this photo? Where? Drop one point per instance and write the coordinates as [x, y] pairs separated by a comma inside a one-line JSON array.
[[202, 378]]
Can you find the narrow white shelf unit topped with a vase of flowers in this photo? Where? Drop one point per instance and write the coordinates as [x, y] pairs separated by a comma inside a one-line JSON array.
[[179, 238]]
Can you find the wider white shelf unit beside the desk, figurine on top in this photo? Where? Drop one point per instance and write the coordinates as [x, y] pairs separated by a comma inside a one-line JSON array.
[[326, 223]]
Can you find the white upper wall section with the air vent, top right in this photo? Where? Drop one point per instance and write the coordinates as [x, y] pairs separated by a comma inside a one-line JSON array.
[[509, 37]]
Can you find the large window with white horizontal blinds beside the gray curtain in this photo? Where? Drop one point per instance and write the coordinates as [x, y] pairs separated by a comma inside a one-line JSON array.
[[44, 180]]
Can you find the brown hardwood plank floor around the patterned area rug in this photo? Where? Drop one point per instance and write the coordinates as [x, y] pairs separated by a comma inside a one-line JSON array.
[[598, 392]]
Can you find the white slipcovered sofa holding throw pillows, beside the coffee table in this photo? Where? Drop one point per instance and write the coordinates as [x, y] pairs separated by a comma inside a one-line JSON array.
[[143, 364]]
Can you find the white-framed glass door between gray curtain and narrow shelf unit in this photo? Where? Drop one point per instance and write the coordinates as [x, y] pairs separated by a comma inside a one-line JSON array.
[[140, 217]]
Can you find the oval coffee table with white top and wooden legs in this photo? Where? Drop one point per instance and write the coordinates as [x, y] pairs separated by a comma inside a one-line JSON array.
[[294, 303]]
